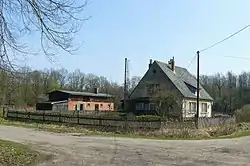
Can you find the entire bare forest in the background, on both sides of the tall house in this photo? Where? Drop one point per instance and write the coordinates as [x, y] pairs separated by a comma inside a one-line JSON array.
[[27, 87]]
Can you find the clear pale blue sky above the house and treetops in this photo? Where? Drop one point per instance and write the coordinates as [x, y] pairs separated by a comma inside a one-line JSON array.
[[144, 29]]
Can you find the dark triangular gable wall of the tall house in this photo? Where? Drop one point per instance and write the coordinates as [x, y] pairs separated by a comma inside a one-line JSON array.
[[153, 76]]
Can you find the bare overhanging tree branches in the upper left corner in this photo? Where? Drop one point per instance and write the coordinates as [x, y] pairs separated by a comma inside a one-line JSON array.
[[56, 21]]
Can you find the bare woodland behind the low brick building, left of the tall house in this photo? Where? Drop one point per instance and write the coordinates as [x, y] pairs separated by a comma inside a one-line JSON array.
[[26, 87]]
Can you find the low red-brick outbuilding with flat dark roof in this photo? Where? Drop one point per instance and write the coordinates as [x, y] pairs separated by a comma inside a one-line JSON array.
[[72, 100]]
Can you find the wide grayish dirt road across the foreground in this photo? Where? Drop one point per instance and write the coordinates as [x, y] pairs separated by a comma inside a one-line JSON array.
[[72, 150]]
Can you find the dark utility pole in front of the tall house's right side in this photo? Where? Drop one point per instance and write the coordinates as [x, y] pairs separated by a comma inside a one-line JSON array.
[[198, 86]]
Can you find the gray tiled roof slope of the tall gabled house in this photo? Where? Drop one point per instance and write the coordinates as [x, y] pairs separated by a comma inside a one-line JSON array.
[[180, 78]]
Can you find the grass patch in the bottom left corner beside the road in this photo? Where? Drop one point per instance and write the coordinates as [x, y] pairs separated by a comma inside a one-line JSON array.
[[13, 154]]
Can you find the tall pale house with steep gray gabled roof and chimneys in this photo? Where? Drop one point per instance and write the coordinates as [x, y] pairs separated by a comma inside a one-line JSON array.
[[162, 76]]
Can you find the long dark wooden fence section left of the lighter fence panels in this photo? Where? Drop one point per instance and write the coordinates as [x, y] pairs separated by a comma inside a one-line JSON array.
[[84, 120]]
